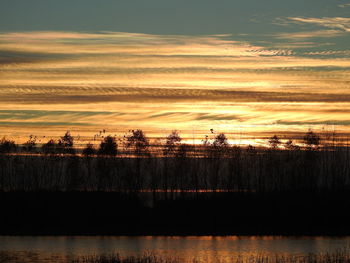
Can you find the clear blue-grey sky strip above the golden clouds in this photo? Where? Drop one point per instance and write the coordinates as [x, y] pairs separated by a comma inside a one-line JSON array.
[[162, 16]]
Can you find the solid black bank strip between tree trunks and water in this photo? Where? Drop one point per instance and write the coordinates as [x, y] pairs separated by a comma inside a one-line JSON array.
[[111, 213]]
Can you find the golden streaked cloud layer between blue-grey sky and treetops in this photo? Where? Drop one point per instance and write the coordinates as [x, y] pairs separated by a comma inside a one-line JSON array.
[[54, 81]]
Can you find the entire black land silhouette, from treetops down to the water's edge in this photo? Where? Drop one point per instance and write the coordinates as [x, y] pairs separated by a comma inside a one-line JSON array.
[[300, 187]]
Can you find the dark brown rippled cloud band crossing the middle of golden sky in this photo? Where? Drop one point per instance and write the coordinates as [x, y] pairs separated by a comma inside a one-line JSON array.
[[172, 95]]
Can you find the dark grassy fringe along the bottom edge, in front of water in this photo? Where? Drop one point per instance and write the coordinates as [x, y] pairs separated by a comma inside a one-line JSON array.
[[341, 256]]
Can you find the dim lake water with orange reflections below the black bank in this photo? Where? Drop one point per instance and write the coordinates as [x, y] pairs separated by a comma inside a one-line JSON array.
[[205, 249]]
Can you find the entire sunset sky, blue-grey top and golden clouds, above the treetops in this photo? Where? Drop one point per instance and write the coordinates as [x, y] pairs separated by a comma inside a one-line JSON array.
[[247, 68]]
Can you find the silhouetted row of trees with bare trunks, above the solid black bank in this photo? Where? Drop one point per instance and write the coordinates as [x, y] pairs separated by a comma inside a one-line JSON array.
[[219, 166]]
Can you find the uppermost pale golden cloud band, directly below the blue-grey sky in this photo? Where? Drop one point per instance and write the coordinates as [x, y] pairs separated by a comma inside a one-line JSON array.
[[109, 43]]
